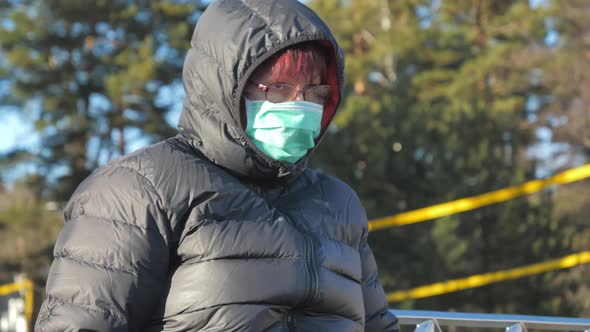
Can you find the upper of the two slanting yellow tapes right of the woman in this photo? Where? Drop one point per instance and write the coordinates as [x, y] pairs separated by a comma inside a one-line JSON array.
[[471, 203]]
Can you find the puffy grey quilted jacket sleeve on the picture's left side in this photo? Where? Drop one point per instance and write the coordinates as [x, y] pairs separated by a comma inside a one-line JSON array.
[[111, 258]]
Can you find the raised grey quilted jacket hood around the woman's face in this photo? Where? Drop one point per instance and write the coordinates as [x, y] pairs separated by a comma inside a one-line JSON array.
[[231, 39]]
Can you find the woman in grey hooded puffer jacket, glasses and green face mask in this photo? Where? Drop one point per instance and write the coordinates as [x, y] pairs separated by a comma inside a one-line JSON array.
[[223, 228]]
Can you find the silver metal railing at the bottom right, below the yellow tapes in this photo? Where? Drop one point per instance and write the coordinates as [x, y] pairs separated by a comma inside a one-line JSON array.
[[431, 321]]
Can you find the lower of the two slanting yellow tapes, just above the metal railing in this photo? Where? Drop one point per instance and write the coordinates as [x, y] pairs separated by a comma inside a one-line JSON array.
[[479, 280]]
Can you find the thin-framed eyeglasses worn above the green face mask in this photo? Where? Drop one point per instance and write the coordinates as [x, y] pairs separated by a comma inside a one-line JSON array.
[[281, 92]]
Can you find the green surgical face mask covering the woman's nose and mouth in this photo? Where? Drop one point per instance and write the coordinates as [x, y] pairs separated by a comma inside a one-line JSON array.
[[283, 131]]
